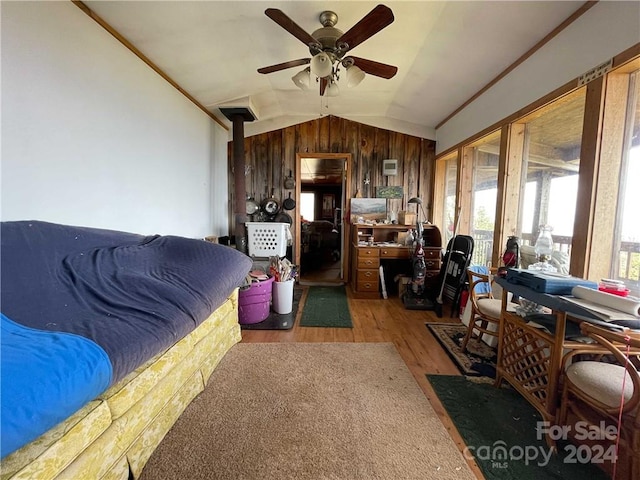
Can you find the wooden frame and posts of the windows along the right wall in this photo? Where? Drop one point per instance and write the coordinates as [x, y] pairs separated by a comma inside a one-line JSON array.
[[600, 140]]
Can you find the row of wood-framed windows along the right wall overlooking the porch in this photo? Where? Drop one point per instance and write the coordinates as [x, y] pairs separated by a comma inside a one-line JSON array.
[[581, 183]]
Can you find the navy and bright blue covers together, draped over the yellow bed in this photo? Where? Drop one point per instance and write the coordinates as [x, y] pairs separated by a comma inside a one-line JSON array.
[[83, 307]]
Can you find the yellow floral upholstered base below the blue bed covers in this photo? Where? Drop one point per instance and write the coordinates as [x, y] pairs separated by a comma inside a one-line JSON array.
[[113, 436]]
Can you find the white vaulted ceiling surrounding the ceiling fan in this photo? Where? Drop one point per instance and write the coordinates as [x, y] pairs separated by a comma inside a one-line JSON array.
[[445, 52]]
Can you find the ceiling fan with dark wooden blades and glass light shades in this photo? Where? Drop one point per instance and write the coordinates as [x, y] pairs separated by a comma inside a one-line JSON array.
[[328, 47]]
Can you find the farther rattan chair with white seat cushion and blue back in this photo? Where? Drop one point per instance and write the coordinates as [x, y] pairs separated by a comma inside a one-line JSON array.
[[485, 309]]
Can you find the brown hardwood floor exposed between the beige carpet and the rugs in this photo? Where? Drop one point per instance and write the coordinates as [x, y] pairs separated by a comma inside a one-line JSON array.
[[384, 321]]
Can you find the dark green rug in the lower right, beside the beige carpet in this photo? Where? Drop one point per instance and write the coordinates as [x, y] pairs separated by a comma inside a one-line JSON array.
[[499, 428]]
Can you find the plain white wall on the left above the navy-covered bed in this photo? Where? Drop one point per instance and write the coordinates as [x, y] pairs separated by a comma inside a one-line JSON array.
[[92, 136]]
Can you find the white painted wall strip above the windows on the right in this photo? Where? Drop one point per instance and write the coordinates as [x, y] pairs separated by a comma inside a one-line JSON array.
[[607, 29]]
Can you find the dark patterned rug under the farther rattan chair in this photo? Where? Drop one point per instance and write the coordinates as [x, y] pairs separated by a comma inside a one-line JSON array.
[[479, 359]]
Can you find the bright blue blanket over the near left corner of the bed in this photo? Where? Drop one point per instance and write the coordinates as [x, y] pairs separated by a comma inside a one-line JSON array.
[[46, 377]]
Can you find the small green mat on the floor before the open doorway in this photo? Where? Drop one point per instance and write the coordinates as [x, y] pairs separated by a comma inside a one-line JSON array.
[[326, 307]]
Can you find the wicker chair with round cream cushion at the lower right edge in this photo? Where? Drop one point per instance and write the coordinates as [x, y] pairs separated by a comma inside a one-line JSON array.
[[592, 390]]
